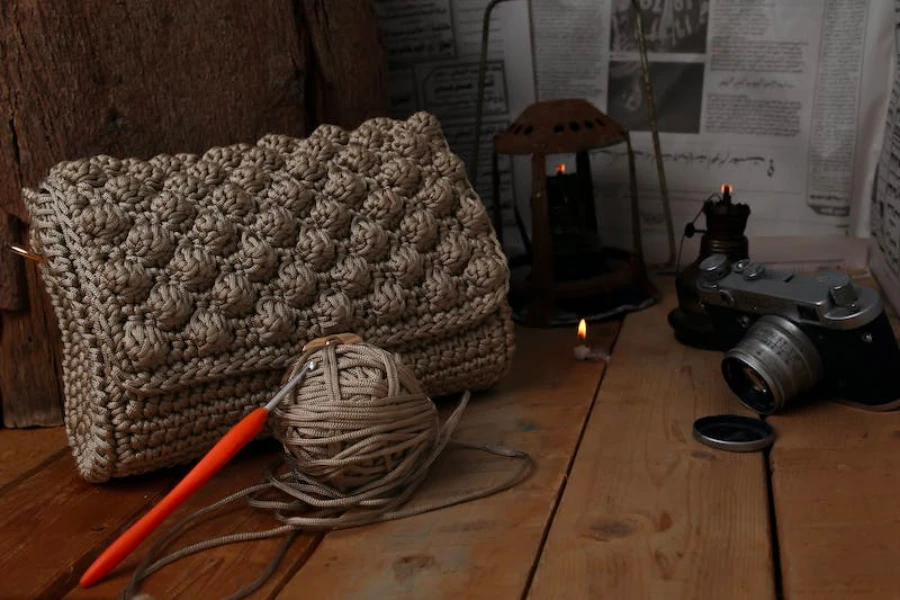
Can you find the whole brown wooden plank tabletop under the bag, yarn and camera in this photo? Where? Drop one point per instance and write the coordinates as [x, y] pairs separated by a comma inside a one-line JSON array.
[[623, 503]]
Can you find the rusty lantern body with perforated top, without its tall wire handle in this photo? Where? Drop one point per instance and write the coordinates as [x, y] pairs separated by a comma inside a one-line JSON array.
[[571, 126]]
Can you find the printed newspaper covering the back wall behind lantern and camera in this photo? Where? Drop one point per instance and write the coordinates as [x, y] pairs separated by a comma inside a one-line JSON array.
[[784, 100]]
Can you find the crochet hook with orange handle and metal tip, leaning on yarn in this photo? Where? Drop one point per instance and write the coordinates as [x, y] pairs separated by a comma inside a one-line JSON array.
[[224, 450]]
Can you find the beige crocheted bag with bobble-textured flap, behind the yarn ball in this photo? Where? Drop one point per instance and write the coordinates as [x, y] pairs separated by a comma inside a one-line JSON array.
[[184, 285]]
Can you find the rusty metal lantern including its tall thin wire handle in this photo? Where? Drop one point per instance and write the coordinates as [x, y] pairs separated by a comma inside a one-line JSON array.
[[560, 127]]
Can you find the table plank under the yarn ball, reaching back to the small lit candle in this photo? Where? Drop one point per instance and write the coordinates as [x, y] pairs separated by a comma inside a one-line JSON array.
[[486, 548]]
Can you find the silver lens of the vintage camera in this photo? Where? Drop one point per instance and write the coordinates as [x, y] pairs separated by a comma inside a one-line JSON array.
[[774, 363]]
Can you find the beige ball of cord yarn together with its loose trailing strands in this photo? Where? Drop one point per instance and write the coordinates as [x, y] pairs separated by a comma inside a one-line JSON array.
[[359, 437]]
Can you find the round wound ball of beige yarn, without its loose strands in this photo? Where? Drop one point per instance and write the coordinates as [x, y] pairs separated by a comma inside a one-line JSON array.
[[358, 424]]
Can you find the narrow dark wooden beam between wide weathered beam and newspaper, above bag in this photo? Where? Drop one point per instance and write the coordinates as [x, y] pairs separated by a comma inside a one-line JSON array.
[[351, 80]]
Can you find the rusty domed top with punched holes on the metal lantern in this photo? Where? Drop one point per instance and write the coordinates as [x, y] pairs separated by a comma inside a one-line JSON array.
[[559, 126]]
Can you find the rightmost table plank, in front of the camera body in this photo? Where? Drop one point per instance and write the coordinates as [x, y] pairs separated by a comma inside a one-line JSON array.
[[836, 478]]
